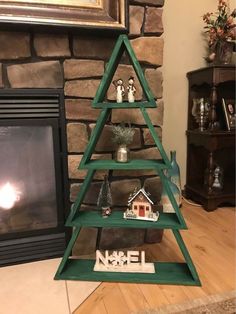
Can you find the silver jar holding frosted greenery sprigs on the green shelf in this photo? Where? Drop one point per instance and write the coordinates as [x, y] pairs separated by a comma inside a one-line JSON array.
[[122, 136]]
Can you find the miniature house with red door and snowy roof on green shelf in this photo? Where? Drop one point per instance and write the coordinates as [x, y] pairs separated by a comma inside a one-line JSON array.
[[140, 207]]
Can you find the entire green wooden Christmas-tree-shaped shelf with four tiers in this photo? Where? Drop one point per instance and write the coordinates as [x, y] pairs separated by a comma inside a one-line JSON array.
[[165, 272]]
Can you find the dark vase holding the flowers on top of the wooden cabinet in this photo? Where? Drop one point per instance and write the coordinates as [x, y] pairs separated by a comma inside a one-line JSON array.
[[223, 52]]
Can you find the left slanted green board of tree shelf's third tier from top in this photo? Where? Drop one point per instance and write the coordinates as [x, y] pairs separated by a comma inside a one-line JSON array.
[[81, 195]]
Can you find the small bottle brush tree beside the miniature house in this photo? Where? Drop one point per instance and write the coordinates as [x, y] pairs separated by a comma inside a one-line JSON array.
[[104, 201]]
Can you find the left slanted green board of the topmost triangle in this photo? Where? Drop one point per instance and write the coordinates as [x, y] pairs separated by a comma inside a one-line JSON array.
[[109, 72]]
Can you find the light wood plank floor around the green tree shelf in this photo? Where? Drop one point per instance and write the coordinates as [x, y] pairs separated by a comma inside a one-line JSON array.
[[210, 240]]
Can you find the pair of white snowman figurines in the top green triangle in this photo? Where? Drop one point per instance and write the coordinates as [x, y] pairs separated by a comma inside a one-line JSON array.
[[120, 90]]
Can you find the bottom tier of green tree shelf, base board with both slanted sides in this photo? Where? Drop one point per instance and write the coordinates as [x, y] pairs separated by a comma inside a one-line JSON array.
[[165, 272]]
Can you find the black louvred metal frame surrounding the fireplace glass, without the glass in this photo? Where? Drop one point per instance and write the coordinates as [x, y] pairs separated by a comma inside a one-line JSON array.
[[16, 109]]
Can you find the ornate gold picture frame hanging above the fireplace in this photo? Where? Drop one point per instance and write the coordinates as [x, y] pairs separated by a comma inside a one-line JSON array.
[[76, 14]]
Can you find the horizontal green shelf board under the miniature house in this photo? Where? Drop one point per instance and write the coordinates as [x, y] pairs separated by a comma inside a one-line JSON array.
[[116, 220]]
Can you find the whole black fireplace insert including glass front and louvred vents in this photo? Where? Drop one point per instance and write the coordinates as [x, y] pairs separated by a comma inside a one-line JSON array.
[[33, 175]]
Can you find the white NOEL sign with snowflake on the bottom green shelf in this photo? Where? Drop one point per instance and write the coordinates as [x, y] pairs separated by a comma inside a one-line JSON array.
[[119, 261]]
